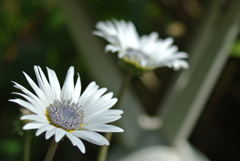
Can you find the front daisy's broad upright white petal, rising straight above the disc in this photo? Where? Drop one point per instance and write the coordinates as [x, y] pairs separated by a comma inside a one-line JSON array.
[[68, 86]]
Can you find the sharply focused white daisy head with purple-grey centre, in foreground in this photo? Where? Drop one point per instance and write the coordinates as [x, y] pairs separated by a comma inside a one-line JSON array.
[[64, 112]]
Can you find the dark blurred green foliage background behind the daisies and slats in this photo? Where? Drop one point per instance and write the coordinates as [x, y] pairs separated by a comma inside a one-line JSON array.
[[36, 32]]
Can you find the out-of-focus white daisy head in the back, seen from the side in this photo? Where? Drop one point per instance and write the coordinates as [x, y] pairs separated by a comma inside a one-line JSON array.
[[144, 53]]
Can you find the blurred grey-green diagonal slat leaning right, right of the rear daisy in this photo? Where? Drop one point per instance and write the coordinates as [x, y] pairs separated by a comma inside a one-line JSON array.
[[185, 101]]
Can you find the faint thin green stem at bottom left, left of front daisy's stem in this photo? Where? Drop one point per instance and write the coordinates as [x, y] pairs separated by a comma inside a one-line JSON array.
[[27, 145]]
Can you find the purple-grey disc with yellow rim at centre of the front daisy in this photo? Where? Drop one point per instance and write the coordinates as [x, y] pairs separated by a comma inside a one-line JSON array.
[[65, 114]]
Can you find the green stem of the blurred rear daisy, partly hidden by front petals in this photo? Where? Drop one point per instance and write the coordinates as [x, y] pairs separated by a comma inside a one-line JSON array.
[[104, 149]]
